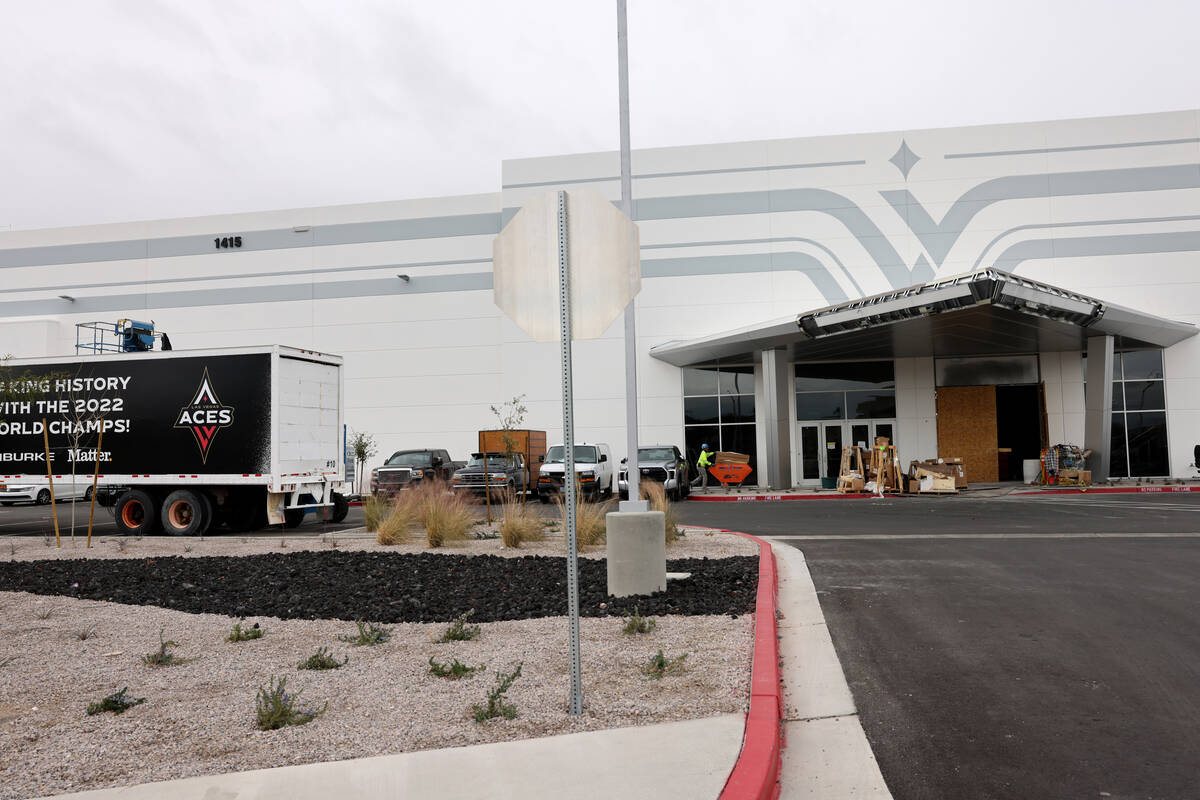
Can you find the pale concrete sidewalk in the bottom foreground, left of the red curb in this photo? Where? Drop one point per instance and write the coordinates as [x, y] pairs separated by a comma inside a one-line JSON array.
[[676, 761]]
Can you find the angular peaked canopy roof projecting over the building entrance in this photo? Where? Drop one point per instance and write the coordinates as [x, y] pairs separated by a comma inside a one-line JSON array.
[[981, 314]]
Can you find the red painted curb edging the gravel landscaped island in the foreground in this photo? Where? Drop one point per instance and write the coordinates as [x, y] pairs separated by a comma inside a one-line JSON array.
[[755, 775]]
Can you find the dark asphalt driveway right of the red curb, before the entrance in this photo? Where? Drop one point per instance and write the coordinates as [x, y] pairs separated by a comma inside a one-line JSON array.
[[1011, 648]]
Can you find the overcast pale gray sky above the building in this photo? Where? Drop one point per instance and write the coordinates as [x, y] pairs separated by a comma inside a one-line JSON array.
[[134, 110]]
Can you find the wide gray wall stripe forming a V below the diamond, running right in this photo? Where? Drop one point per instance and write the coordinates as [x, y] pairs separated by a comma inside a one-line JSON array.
[[940, 238]]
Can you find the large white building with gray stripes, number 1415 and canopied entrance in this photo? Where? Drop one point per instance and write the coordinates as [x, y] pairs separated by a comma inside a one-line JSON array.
[[952, 290]]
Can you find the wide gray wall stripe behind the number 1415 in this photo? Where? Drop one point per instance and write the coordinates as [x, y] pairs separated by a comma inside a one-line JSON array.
[[350, 233]]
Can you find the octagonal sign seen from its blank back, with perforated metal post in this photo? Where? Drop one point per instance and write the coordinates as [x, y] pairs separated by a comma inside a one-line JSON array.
[[577, 249]]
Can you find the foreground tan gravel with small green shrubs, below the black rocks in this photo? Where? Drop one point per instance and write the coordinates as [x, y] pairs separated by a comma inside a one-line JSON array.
[[200, 717]]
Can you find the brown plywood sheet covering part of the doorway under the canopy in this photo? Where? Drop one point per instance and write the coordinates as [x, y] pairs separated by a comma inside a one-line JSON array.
[[967, 430]]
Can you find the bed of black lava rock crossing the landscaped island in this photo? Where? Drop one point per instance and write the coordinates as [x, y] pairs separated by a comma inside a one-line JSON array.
[[382, 587]]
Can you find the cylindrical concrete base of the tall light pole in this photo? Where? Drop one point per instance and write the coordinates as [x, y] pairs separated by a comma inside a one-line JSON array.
[[638, 554]]
